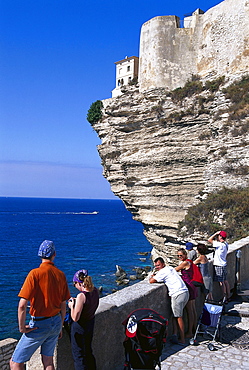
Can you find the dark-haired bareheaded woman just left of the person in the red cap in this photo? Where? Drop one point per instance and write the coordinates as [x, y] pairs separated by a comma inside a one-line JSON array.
[[203, 264]]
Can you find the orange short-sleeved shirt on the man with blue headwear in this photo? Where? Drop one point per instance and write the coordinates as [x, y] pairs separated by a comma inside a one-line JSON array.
[[46, 288]]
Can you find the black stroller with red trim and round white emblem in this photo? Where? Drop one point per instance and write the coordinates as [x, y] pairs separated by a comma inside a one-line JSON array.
[[145, 332]]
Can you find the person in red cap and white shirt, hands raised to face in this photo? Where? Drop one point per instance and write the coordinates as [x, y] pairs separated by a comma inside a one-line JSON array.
[[220, 261]]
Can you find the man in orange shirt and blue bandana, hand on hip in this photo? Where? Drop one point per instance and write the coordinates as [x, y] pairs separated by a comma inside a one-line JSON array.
[[47, 291]]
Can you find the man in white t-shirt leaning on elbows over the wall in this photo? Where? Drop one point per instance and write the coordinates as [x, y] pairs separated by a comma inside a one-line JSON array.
[[177, 291]]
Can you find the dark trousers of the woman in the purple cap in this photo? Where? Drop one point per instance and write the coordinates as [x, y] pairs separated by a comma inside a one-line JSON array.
[[81, 342]]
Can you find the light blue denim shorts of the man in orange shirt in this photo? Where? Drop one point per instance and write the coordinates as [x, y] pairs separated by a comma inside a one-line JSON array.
[[45, 336]]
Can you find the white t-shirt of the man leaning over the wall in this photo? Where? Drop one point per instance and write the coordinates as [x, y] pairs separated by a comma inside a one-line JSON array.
[[169, 276]]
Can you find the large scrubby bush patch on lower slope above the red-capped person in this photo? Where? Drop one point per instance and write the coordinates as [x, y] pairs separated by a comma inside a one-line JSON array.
[[225, 209]]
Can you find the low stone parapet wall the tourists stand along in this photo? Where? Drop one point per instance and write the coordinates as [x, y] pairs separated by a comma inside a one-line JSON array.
[[113, 310]]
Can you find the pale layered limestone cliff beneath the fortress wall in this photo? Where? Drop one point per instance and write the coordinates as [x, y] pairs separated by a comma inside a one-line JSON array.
[[158, 165]]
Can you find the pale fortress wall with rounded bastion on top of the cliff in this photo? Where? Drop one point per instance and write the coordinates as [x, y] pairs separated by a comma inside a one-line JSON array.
[[214, 44]]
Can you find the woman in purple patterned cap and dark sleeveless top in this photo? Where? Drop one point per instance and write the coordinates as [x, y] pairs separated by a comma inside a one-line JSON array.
[[83, 309]]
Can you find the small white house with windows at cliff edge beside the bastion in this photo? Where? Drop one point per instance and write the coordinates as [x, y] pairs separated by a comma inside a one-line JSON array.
[[126, 71]]
